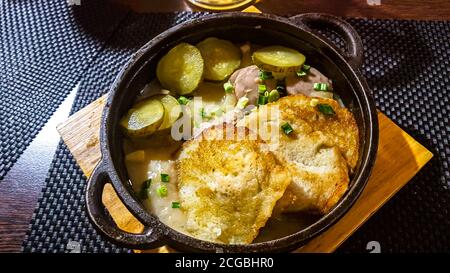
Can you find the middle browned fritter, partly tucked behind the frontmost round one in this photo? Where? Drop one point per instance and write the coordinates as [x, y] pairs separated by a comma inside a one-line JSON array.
[[319, 177]]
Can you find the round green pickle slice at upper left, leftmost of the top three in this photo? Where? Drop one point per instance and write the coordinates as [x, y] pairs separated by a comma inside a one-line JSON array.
[[181, 69]]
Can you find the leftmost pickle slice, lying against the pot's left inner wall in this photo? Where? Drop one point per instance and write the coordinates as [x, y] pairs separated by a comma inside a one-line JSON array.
[[143, 118]]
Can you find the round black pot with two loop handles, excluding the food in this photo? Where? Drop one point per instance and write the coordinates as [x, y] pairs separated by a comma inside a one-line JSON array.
[[298, 32]]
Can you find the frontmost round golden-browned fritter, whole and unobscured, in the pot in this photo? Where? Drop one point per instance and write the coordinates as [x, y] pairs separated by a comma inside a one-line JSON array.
[[228, 187]]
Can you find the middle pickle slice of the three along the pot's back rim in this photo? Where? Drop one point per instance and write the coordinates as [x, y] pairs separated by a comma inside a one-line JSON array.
[[221, 58]]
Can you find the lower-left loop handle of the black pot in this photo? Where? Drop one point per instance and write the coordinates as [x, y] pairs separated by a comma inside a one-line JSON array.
[[103, 222]]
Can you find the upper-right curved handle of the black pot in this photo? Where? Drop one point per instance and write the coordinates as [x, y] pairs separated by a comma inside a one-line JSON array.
[[320, 21]]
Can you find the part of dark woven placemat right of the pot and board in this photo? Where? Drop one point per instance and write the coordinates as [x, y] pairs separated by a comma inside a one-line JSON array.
[[407, 65]]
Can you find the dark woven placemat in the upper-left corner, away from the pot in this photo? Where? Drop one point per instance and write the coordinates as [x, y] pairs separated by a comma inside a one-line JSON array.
[[42, 55]]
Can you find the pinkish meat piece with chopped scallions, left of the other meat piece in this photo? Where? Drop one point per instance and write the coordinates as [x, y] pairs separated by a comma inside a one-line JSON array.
[[245, 82]]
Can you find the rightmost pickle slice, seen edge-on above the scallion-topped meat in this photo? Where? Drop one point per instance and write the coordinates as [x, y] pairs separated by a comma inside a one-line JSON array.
[[278, 59]]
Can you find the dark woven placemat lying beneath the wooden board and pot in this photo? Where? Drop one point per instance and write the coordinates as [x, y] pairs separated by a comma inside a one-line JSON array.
[[407, 67]]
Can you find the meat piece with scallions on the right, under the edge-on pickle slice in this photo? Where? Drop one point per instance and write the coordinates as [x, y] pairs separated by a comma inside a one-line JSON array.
[[305, 85]]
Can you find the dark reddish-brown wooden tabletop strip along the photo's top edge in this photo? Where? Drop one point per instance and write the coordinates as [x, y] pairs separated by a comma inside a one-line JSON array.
[[398, 9]]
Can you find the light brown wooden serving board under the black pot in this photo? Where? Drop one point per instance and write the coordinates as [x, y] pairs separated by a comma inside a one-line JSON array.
[[399, 158]]
